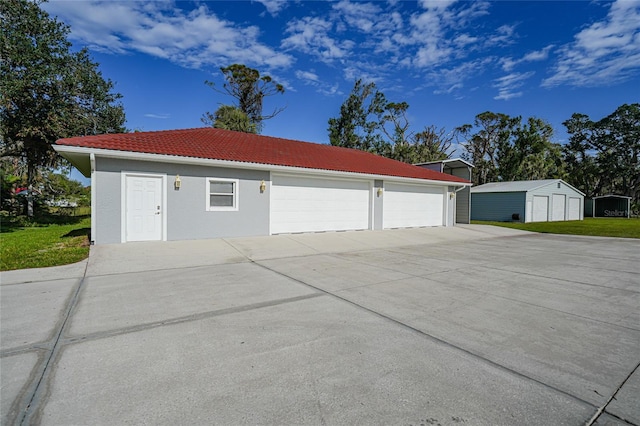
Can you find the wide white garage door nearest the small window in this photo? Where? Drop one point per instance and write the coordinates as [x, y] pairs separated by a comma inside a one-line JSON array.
[[302, 204]]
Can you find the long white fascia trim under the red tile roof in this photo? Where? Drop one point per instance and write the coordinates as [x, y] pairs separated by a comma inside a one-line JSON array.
[[129, 155]]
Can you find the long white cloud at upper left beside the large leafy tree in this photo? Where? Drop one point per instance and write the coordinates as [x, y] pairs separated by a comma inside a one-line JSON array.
[[192, 39]]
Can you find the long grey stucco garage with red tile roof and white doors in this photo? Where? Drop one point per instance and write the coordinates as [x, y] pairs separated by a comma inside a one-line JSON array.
[[210, 183]]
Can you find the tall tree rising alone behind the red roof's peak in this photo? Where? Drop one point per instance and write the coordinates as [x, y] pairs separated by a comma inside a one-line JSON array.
[[249, 89]]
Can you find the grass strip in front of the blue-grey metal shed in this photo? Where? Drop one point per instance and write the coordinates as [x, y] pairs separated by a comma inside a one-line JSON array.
[[601, 227]]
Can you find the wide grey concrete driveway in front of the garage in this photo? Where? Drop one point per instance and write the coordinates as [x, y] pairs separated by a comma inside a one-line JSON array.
[[469, 325]]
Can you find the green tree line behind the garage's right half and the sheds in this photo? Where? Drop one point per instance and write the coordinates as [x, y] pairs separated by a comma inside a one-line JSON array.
[[600, 157]]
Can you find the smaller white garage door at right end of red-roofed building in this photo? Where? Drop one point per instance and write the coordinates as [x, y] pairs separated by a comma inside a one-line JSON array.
[[412, 205]]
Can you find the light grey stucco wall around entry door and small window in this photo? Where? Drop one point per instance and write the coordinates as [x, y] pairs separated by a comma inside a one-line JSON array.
[[187, 217]]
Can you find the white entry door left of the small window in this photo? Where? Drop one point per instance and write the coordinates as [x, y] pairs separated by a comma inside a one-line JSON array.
[[143, 208]]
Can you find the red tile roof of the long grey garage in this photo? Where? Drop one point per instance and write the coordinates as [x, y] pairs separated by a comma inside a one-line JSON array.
[[218, 144]]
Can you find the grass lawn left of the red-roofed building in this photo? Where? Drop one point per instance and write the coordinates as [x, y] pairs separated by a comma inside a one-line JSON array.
[[42, 246]]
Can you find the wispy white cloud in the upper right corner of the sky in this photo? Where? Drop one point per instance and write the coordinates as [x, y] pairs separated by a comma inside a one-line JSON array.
[[603, 53]]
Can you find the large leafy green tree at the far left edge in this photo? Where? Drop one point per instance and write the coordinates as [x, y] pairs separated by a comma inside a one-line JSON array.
[[47, 91]]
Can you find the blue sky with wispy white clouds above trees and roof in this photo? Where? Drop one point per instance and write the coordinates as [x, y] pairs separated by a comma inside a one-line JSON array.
[[450, 60]]
